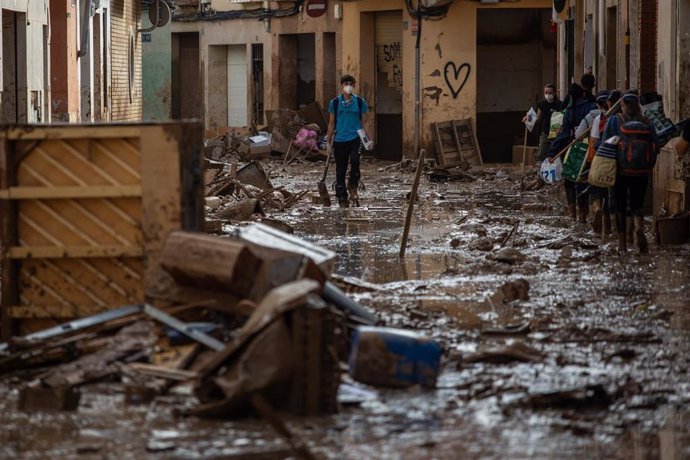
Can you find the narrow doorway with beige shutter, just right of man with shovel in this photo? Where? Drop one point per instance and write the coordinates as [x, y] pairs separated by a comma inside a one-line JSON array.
[[388, 89]]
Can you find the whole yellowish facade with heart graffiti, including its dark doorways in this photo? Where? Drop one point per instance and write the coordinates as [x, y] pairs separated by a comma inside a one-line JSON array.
[[484, 61]]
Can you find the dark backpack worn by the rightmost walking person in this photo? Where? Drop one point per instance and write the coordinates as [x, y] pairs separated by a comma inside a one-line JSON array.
[[636, 148]]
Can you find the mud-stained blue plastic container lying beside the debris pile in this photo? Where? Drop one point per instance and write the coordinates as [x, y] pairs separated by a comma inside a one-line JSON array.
[[394, 357]]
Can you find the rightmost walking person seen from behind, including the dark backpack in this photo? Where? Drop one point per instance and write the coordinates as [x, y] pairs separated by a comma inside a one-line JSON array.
[[637, 149]]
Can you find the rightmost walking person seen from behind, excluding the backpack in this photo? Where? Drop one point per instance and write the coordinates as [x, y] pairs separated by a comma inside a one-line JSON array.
[[631, 184]]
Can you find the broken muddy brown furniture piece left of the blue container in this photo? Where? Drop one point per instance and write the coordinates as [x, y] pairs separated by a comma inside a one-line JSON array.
[[288, 351]]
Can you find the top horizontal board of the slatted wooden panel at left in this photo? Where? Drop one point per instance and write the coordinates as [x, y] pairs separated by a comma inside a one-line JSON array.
[[72, 132]]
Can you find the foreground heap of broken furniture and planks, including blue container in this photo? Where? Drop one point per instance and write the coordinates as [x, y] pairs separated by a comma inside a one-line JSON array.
[[251, 323]]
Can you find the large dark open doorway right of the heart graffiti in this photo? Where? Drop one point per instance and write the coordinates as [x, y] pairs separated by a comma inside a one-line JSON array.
[[516, 57]]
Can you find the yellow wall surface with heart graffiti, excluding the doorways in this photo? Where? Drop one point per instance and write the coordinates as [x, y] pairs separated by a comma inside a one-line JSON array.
[[448, 42]]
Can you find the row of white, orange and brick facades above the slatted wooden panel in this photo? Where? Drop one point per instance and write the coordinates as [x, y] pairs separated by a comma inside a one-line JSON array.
[[70, 61]]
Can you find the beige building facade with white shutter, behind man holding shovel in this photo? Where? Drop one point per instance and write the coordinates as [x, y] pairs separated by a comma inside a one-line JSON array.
[[232, 66]]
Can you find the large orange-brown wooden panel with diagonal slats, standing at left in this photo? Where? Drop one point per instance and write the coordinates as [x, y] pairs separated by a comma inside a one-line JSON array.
[[84, 211]]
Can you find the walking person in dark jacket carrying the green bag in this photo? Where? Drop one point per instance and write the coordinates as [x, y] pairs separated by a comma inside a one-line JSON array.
[[574, 114]]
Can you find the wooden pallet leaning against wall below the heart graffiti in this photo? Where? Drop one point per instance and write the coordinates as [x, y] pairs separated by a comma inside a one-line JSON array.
[[456, 143]]
